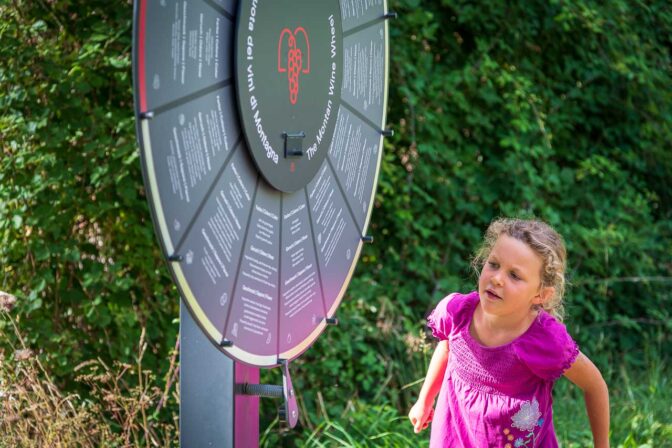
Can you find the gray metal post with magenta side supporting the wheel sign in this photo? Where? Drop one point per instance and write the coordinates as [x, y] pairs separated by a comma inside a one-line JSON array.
[[208, 403]]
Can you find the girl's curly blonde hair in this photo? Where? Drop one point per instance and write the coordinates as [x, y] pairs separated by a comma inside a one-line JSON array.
[[545, 242]]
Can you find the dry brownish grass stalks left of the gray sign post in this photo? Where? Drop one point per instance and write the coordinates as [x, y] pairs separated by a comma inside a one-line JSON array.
[[123, 409]]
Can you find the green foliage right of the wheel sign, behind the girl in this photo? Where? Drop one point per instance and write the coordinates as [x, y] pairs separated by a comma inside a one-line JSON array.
[[561, 110]]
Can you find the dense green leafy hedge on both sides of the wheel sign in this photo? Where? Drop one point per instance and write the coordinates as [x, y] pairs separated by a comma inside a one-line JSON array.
[[557, 109]]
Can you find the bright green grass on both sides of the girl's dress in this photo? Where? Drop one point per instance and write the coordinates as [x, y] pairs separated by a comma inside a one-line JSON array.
[[641, 417]]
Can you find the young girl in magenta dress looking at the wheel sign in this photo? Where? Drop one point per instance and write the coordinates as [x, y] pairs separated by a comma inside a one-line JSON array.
[[503, 347]]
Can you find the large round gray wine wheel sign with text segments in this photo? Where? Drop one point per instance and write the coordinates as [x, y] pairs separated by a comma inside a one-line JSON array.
[[260, 124]]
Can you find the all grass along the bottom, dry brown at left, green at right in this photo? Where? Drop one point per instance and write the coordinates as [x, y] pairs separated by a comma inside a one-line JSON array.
[[128, 406]]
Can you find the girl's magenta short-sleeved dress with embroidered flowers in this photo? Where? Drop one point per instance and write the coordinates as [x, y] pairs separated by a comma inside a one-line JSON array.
[[497, 396]]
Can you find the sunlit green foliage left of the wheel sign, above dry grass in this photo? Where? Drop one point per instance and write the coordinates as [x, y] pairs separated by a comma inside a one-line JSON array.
[[76, 237]]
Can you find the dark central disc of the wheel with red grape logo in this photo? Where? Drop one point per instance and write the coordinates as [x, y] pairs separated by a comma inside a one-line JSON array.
[[289, 55]]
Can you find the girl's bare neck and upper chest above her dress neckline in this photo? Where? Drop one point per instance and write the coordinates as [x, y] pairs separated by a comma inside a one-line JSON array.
[[492, 330]]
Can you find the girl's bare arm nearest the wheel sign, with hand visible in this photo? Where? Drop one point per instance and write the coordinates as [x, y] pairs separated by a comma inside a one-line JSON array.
[[421, 412]]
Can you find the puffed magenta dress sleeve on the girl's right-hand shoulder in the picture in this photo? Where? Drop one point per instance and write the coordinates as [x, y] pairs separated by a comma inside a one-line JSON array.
[[548, 350]]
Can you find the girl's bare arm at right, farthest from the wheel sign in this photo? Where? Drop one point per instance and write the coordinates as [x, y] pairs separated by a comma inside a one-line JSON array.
[[584, 374]]
